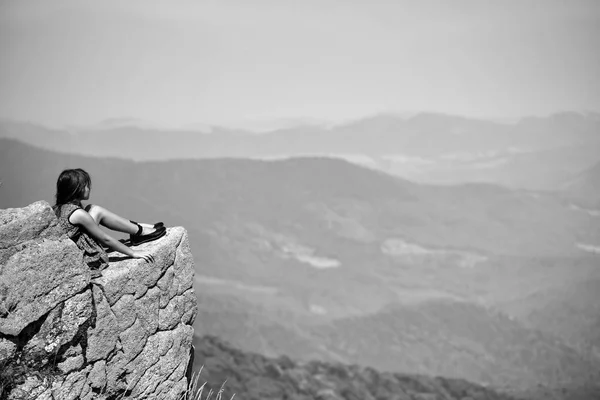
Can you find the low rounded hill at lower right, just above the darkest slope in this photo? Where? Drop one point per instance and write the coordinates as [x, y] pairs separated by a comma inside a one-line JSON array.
[[482, 344]]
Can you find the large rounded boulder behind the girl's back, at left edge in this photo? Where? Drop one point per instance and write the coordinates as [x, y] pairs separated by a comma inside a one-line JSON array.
[[39, 267]]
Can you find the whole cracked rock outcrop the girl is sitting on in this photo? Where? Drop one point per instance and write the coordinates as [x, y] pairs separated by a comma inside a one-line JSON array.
[[66, 336]]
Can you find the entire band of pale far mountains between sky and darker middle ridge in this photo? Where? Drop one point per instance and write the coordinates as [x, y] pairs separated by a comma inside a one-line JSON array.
[[534, 153]]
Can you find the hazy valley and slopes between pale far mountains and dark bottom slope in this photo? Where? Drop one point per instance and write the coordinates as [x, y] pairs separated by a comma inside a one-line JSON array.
[[322, 259]]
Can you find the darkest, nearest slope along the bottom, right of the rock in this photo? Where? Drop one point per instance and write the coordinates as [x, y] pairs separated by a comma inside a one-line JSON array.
[[251, 376]]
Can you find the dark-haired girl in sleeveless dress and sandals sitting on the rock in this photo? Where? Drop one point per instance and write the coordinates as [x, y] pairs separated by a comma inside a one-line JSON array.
[[82, 224]]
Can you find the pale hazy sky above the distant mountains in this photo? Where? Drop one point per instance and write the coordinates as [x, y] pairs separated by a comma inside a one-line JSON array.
[[179, 62]]
